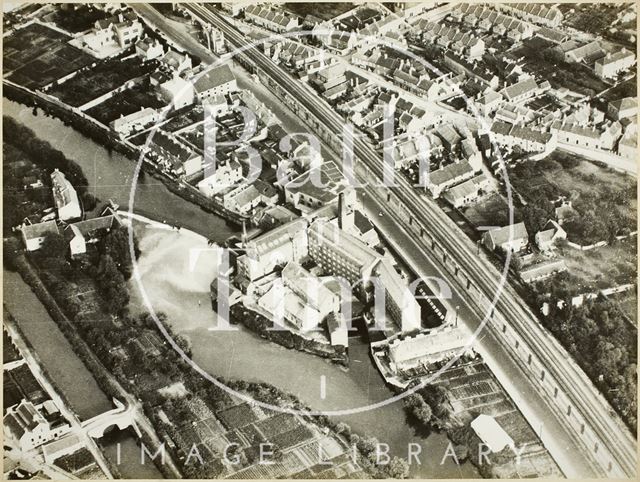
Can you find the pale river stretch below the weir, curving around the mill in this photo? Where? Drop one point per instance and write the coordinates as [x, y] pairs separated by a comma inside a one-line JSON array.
[[181, 290]]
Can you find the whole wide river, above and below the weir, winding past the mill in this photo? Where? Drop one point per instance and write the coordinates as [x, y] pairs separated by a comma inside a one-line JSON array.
[[173, 287]]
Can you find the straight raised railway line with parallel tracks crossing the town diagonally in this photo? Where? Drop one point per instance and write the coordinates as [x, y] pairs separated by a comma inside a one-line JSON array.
[[510, 311]]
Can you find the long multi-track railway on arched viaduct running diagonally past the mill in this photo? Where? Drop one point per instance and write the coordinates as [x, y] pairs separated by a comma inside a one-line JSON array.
[[422, 214]]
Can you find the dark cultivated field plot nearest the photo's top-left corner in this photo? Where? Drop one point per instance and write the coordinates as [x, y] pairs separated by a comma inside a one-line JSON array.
[[36, 55]]
